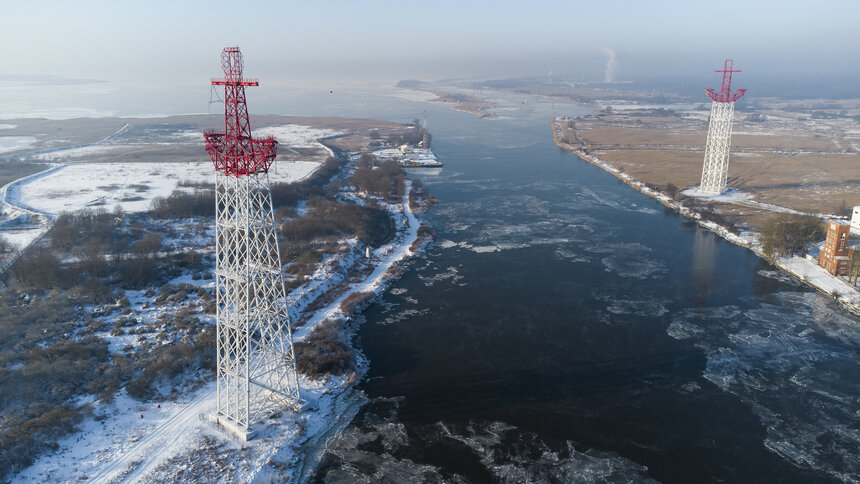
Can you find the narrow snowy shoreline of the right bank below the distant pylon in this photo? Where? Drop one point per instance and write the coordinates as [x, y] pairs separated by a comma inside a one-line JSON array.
[[837, 289]]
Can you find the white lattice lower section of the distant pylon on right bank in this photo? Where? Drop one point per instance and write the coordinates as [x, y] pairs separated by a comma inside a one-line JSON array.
[[716, 166]]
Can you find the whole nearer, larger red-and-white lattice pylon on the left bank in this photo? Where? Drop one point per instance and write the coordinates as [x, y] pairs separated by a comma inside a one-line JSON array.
[[256, 364]]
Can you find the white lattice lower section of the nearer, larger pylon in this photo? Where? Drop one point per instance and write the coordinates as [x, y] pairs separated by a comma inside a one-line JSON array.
[[256, 365]]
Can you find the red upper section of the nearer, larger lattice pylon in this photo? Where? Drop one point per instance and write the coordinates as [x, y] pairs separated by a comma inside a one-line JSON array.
[[233, 151]]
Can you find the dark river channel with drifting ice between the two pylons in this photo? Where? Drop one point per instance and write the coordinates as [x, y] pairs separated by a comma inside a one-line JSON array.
[[566, 328]]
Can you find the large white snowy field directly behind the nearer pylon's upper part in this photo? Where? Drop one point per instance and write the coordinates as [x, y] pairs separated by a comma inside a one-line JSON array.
[[132, 186]]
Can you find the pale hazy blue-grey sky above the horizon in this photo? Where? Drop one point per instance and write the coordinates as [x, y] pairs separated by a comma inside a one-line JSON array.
[[156, 42]]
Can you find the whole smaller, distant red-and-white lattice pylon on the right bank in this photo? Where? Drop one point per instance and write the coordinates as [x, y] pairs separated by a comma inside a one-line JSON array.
[[716, 167]]
